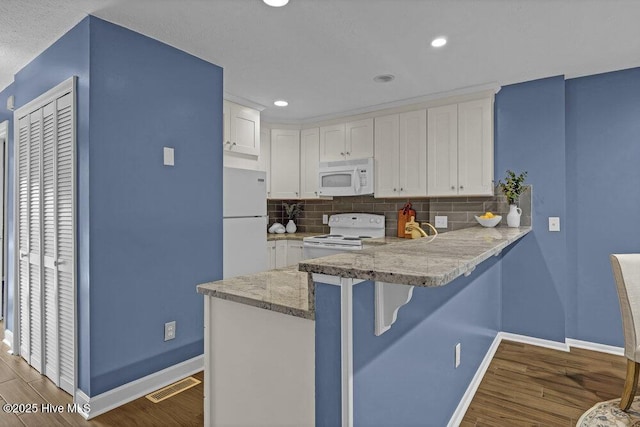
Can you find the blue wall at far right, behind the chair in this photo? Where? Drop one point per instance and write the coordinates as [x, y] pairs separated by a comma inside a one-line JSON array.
[[603, 146]]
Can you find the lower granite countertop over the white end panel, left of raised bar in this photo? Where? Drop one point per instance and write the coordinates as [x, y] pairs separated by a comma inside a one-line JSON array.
[[285, 290]]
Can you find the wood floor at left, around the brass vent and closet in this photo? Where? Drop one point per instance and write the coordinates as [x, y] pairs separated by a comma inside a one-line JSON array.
[[19, 383]]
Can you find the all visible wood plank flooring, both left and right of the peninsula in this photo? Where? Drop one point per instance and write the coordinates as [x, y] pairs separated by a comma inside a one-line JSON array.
[[524, 386]]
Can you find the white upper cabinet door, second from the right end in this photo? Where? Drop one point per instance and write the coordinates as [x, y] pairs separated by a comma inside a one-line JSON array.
[[442, 151]]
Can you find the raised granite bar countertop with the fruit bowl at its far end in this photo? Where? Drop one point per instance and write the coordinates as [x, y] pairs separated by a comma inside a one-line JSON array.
[[419, 262]]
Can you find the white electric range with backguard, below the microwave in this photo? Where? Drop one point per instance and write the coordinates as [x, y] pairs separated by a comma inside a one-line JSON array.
[[346, 233]]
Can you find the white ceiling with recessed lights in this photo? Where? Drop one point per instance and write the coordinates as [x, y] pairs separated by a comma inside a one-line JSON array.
[[322, 55]]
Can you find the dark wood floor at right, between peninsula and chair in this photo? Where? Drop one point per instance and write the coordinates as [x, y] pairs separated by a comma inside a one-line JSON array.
[[533, 386]]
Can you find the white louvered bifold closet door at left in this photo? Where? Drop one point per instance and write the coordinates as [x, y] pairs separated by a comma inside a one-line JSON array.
[[46, 240]]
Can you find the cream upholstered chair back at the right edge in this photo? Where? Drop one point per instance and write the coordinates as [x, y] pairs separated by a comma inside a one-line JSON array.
[[626, 271]]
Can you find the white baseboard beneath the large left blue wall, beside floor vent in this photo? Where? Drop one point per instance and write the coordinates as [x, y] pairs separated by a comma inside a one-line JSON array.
[[127, 392]]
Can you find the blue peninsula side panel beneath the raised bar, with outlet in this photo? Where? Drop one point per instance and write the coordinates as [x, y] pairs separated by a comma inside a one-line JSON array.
[[399, 376]]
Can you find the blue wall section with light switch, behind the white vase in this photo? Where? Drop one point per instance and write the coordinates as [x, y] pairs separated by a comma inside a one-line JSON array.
[[529, 136]]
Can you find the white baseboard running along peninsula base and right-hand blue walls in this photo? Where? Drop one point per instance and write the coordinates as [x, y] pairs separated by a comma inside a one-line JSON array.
[[461, 410]]
